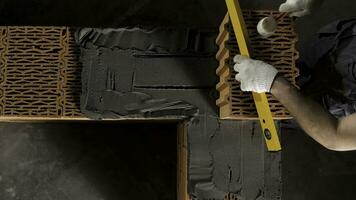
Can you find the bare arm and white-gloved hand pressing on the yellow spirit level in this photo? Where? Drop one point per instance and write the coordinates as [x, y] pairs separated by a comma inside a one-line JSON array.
[[334, 134]]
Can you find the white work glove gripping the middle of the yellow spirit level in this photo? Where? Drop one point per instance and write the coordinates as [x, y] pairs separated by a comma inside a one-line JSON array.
[[254, 75]]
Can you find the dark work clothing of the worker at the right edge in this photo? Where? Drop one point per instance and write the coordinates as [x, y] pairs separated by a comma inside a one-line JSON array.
[[337, 42]]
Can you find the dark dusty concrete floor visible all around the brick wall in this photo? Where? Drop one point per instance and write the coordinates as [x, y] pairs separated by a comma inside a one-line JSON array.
[[85, 161]]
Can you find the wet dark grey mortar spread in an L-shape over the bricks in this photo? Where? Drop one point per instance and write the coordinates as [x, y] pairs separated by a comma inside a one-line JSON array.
[[165, 72]]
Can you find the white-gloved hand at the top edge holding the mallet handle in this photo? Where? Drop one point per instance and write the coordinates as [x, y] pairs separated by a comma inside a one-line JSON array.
[[299, 8]]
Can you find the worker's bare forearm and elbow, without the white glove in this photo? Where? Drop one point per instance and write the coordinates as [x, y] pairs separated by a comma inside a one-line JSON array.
[[334, 134]]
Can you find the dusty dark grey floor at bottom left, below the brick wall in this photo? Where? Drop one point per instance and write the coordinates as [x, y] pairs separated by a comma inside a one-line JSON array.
[[86, 161]]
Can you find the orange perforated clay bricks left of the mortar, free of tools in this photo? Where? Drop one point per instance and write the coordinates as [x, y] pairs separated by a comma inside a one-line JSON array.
[[39, 73]]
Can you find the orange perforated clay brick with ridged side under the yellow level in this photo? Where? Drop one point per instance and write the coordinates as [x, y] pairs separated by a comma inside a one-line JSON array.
[[278, 50]]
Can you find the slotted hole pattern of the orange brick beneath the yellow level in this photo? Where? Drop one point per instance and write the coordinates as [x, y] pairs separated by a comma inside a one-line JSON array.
[[278, 50]]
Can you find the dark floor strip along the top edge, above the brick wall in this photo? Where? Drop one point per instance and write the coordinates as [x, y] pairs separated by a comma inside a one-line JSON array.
[[198, 13]]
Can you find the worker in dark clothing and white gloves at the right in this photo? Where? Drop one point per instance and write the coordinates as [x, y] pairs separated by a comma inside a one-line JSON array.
[[335, 52]]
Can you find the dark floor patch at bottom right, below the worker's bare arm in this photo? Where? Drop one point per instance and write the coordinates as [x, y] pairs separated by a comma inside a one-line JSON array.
[[311, 172]]
